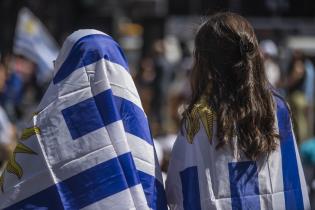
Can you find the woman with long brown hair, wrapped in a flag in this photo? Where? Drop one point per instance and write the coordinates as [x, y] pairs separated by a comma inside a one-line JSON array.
[[236, 149]]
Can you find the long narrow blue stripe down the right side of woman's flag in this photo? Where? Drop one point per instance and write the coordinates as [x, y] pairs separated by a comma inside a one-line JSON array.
[[290, 171]]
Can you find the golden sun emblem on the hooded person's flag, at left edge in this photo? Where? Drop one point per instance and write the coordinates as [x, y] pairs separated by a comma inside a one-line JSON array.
[[12, 166]]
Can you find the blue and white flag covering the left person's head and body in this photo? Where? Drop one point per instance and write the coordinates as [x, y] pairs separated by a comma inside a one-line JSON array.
[[89, 146]]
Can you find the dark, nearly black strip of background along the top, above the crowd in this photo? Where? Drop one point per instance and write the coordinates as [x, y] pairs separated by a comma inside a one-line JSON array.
[[63, 17]]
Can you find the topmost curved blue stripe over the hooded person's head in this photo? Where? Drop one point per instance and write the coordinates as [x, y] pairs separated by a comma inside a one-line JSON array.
[[89, 49]]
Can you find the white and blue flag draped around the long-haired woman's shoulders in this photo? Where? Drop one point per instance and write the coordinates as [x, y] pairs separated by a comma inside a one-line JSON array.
[[203, 177]]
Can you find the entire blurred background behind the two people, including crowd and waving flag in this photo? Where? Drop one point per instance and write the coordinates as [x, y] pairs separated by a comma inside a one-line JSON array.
[[157, 37]]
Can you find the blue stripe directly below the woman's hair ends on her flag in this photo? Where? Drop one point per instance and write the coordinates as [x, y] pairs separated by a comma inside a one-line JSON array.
[[244, 185]]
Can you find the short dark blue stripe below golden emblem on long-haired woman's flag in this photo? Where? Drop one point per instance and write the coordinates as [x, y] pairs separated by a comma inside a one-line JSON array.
[[190, 188]]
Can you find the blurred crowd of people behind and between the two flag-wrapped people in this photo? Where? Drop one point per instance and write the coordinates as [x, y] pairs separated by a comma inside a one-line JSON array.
[[164, 88]]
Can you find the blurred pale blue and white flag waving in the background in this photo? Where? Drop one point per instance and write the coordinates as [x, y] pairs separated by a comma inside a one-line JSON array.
[[33, 41]]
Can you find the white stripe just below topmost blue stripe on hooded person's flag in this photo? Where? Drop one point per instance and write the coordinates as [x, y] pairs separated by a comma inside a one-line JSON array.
[[122, 85]]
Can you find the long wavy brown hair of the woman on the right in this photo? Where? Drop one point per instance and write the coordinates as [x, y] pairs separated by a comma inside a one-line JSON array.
[[227, 61]]
